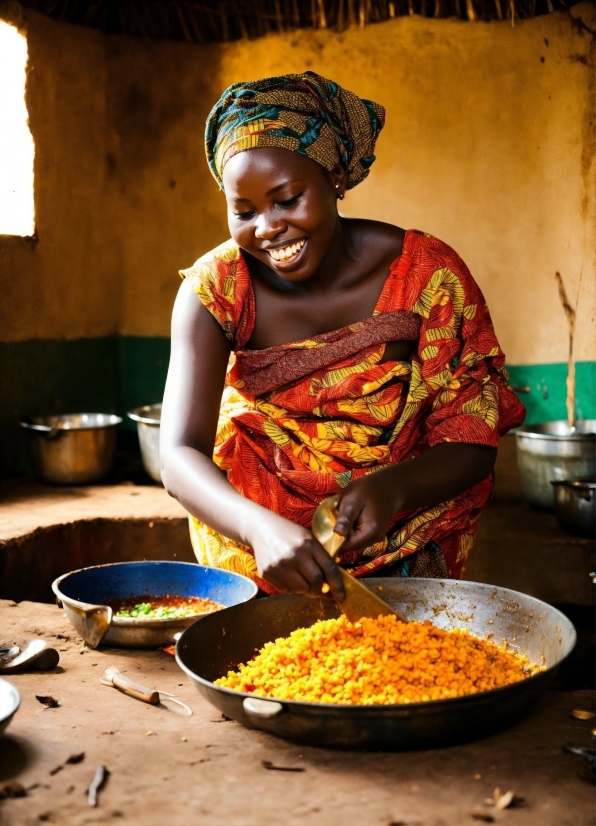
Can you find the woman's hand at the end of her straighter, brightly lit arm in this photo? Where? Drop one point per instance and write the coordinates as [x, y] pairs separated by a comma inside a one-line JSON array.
[[291, 559]]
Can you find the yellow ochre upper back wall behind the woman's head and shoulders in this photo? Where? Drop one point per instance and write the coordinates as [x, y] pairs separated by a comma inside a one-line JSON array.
[[488, 145]]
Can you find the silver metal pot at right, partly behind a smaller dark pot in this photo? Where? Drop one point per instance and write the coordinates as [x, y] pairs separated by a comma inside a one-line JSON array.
[[552, 452]]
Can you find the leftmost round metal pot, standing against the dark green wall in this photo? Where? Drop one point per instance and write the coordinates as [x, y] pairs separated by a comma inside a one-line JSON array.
[[73, 449]]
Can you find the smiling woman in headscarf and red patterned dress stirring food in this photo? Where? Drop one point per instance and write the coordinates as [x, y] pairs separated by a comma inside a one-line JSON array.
[[362, 360]]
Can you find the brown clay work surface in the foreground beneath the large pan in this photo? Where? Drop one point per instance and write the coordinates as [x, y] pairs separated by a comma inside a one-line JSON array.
[[205, 770]]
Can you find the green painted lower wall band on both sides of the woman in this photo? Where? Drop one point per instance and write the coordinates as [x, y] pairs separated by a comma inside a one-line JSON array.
[[114, 374]]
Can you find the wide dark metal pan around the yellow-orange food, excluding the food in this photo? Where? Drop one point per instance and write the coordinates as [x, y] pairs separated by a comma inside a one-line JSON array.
[[218, 642]]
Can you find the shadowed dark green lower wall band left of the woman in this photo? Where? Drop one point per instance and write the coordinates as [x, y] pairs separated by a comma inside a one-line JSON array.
[[105, 375]]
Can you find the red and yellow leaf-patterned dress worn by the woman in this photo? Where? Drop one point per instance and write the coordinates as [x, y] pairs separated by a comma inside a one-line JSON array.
[[300, 421]]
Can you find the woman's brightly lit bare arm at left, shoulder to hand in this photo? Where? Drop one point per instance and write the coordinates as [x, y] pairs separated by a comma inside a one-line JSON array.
[[287, 554]]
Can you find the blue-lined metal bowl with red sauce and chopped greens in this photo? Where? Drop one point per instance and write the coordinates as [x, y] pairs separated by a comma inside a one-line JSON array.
[[86, 596]]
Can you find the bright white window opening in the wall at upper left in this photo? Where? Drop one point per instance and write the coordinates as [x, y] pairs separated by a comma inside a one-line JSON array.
[[16, 142]]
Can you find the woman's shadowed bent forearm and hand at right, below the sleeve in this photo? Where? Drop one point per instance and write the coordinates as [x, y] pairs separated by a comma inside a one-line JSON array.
[[437, 475]]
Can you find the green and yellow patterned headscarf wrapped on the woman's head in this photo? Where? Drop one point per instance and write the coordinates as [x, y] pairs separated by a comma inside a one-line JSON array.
[[304, 113]]
